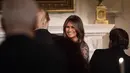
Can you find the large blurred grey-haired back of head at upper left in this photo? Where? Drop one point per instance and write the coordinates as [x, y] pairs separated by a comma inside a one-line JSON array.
[[18, 15]]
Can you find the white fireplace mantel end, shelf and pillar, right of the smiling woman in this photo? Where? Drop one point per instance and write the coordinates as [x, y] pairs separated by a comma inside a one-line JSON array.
[[94, 36]]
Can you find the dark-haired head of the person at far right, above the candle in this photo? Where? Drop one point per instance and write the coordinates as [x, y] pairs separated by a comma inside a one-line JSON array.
[[119, 39]]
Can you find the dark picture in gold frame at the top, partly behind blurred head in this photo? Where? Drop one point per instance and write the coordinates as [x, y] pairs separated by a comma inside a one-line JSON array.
[[55, 5]]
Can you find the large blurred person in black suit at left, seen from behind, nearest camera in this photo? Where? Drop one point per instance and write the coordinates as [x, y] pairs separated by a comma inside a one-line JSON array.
[[19, 52]]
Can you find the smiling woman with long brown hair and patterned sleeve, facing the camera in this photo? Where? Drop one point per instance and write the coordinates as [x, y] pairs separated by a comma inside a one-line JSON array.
[[73, 29]]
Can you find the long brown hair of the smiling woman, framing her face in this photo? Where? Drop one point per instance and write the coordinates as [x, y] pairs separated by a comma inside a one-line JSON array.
[[78, 25]]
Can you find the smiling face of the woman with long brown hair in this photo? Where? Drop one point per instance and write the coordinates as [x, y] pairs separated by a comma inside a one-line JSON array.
[[70, 31]]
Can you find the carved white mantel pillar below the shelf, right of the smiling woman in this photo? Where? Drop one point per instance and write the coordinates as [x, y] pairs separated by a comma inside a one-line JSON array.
[[94, 41]]
